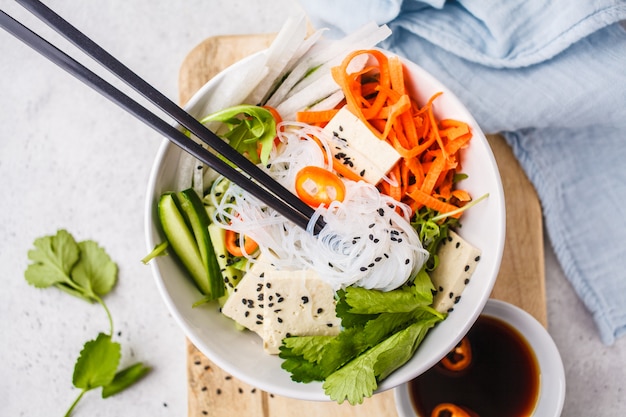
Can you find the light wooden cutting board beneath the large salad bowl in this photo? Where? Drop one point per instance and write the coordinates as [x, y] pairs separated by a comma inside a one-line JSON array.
[[214, 393]]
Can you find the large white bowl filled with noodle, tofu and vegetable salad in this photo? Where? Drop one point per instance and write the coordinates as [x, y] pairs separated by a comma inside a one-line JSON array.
[[412, 209]]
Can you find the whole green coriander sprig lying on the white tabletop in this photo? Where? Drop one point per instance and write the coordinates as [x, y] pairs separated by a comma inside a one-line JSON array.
[[86, 271]]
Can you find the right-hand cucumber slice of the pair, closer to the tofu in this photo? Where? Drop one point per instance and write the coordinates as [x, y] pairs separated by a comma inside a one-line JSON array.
[[197, 217]]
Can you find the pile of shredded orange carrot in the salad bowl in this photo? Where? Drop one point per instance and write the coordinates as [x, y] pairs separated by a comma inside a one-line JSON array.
[[429, 148]]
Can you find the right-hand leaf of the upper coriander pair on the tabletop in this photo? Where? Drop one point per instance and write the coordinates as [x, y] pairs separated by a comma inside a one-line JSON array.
[[95, 271]]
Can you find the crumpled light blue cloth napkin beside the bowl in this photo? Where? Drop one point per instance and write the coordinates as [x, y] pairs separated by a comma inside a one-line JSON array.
[[551, 77]]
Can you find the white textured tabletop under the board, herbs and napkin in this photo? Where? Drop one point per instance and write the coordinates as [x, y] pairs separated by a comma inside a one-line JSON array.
[[71, 159]]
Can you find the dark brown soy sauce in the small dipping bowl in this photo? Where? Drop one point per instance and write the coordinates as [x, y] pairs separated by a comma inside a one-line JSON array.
[[502, 379]]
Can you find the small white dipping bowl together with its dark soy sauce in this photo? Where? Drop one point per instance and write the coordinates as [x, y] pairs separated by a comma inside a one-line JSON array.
[[504, 319]]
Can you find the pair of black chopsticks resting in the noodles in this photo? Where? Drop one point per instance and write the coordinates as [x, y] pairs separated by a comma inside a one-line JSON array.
[[248, 176]]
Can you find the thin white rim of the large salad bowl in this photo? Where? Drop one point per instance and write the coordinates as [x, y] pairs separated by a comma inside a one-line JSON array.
[[317, 394]]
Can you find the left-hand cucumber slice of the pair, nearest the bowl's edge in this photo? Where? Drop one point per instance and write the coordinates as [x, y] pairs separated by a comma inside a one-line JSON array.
[[182, 240]]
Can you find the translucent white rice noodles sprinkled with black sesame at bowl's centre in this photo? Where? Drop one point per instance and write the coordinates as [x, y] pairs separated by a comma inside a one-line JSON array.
[[367, 241]]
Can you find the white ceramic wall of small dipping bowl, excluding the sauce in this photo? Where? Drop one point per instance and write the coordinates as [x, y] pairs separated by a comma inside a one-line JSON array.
[[552, 375]]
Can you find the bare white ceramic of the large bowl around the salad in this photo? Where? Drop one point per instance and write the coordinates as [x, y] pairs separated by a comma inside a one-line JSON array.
[[241, 353]]
